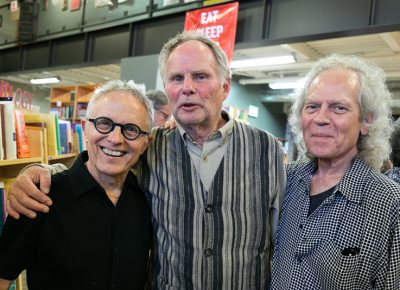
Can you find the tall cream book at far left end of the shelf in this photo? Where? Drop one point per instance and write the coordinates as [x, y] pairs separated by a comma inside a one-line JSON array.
[[10, 144]]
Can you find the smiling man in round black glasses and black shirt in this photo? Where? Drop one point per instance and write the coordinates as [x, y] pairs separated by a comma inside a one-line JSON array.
[[98, 233]]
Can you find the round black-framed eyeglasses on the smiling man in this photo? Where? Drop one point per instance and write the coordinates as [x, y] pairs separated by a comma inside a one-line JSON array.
[[105, 125]]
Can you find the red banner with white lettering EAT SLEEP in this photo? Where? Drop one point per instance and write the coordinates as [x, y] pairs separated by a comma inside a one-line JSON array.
[[217, 22]]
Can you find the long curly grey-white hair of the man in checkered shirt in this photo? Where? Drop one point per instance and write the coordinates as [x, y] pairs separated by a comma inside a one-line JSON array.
[[373, 99]]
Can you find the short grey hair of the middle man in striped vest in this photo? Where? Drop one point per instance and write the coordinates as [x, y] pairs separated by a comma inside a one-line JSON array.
[[224, 69]]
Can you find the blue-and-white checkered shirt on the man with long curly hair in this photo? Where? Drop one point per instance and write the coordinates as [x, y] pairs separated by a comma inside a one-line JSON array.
[[352, 241]]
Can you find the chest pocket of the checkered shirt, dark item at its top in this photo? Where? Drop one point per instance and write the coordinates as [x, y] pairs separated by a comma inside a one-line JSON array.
[[335, 270]]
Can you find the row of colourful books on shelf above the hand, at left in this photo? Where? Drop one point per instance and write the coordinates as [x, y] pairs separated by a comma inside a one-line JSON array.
[[25, 133]]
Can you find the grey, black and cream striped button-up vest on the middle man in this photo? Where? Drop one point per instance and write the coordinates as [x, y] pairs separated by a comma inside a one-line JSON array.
[[216, 239]]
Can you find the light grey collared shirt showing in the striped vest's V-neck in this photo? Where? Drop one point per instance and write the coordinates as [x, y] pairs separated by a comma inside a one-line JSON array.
[[207, 158]]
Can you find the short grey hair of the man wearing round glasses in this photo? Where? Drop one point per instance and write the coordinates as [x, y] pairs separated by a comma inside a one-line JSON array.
[[131, 88]]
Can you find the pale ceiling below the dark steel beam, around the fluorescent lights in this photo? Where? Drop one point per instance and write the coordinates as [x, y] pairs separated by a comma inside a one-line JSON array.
[[381, 48]]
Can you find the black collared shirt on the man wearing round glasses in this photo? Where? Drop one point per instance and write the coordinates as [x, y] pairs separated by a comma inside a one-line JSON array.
[[84, 242]]
